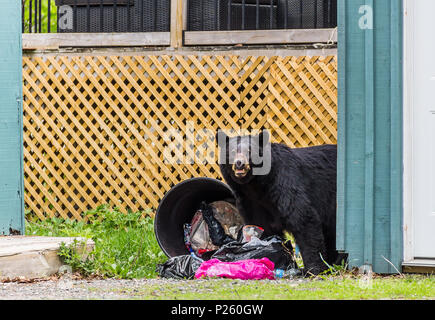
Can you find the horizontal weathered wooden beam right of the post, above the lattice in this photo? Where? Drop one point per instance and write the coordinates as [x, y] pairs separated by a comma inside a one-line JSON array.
[[285, 36]]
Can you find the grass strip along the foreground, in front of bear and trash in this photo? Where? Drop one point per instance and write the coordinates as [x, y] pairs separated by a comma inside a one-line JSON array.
[[411, 287]]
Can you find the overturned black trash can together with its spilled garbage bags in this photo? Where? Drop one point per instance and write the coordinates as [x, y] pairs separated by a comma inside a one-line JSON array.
[[197, 222]]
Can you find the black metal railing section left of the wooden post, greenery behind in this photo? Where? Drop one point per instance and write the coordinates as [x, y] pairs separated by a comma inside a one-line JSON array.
[[96, 15]]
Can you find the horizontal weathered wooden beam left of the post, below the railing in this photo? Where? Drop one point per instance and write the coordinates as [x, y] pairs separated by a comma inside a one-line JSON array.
[[33, 41]]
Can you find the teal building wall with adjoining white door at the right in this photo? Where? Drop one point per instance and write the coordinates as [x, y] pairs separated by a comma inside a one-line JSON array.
[[386, 216]]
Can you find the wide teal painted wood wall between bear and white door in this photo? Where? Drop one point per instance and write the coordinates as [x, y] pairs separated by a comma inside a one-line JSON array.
[[369, 222]]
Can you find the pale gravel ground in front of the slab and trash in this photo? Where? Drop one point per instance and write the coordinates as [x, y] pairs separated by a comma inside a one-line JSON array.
[[69, 287]]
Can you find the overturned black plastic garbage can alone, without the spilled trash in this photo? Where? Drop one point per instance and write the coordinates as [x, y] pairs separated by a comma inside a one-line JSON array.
[[178, 207]]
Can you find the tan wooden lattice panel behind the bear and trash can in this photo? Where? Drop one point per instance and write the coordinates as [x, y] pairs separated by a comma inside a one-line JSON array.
[[97, 128]]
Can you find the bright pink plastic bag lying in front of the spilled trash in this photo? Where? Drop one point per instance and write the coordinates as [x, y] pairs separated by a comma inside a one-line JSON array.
[[253, 269]]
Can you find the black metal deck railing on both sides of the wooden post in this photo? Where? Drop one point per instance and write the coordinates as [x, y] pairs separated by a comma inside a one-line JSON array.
[[154, 15]]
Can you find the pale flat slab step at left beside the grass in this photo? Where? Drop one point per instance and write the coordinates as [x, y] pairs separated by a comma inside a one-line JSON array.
[[32, 256]]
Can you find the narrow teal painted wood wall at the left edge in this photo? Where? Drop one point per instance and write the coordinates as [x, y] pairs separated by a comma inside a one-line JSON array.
[[11, 132]]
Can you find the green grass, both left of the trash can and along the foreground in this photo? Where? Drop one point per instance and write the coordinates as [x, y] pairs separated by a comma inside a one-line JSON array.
[[125, 247]]
